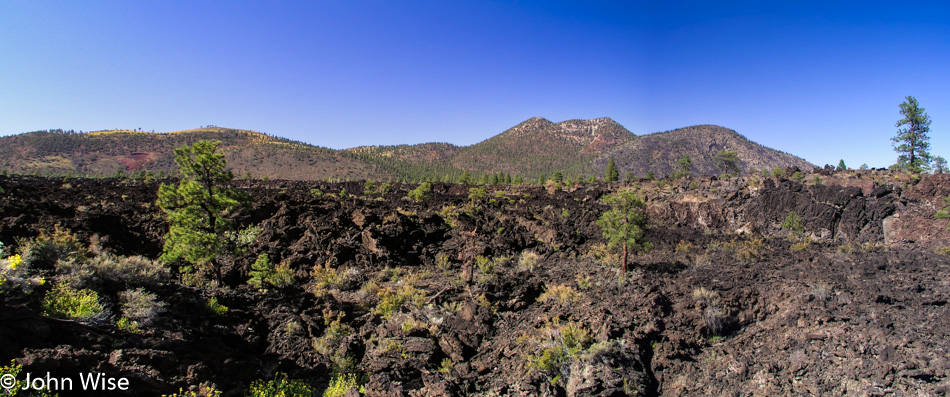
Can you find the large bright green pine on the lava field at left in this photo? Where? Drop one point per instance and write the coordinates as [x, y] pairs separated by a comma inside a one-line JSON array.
[[200, 210]]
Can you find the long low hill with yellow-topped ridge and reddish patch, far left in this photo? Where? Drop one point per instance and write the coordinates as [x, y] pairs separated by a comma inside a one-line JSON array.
[[105, 152]]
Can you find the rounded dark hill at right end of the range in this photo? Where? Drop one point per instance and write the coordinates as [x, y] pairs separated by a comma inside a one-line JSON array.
[[660, 152]]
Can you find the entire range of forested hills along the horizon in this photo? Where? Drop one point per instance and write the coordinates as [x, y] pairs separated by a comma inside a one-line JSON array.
[[532, 148]]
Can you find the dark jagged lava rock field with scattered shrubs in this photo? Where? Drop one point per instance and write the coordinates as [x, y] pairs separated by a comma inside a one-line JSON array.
[[510, 293]]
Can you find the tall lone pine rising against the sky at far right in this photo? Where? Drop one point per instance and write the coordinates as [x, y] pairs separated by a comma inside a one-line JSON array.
[[912, 143]]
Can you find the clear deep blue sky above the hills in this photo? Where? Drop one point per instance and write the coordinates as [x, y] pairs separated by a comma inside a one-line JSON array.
[[818, 79]]
